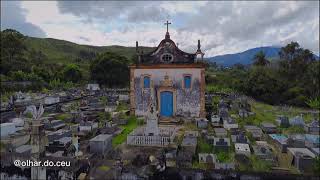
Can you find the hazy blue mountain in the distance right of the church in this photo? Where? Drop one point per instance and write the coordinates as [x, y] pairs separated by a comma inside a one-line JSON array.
[[246, 57]]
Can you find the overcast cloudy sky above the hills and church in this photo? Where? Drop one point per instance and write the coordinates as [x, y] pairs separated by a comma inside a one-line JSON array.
[[222, 27]]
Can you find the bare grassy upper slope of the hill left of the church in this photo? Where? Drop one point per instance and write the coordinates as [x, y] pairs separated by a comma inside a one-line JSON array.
[[61, 51]]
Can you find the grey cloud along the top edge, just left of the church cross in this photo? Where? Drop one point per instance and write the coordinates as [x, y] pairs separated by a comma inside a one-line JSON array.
[[132, 11]]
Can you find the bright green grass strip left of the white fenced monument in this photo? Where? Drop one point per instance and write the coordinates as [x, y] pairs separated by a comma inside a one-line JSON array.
[[126, 129]]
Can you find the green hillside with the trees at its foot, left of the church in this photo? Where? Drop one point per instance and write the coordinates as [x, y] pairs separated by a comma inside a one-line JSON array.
[[52, 60]]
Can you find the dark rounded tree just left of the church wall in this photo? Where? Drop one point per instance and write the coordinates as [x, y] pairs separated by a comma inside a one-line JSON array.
[[110, 69]]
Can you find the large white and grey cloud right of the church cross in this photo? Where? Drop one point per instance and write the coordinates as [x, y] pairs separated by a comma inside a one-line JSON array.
[[257, 23]]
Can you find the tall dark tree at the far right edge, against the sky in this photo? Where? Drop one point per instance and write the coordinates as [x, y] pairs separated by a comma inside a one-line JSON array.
[[300, 72]]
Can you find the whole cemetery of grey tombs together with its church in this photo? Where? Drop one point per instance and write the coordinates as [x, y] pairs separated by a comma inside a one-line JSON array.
[[165, 121]]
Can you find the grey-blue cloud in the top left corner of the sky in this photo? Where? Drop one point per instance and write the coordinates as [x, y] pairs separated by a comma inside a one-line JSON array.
[[13, 17]]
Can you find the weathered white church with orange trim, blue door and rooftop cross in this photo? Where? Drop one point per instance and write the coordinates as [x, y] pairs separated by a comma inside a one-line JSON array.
[[170, 79]]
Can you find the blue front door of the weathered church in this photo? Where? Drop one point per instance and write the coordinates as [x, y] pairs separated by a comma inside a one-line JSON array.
[[166, 107]]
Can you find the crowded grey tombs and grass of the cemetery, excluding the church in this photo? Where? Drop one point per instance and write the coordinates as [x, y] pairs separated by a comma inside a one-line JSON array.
[[95, 133]]
